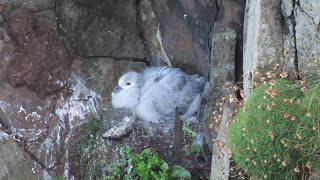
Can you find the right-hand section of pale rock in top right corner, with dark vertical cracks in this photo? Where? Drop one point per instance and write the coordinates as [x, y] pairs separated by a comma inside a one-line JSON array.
[[301, 32]]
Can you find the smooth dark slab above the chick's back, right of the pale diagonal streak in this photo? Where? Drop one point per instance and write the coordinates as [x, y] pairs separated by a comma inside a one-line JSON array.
[[185, 28]]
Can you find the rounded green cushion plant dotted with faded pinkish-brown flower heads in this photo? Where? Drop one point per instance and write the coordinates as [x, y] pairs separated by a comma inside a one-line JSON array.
[[276, 134]]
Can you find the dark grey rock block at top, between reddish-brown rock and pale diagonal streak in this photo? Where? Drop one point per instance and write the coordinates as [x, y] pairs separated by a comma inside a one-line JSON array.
[[99, 28]]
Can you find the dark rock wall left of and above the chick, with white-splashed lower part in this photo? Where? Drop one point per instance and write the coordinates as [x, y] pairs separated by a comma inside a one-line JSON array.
[[61, 59]]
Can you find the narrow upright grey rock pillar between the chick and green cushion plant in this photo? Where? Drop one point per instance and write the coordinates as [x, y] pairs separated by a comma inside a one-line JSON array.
[[217, 113]]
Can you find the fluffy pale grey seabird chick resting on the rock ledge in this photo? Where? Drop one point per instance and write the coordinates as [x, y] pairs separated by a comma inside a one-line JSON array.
[[154, 94]]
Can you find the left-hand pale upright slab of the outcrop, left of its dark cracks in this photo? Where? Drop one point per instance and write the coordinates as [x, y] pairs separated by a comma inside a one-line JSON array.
[[263, 39]]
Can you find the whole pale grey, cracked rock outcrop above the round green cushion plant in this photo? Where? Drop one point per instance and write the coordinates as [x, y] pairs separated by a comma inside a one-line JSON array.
[[280, 33]]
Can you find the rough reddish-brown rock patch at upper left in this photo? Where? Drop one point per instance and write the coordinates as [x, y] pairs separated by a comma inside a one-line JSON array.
[[39, 60]]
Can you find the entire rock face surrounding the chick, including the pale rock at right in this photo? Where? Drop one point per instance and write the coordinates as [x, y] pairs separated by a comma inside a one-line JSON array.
[[61, 59]]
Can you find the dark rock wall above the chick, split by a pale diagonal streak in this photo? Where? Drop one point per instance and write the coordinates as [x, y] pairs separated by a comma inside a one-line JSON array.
[[141, 33]]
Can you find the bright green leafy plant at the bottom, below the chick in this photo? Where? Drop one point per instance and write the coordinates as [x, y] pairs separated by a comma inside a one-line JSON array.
[[145, 165]]
